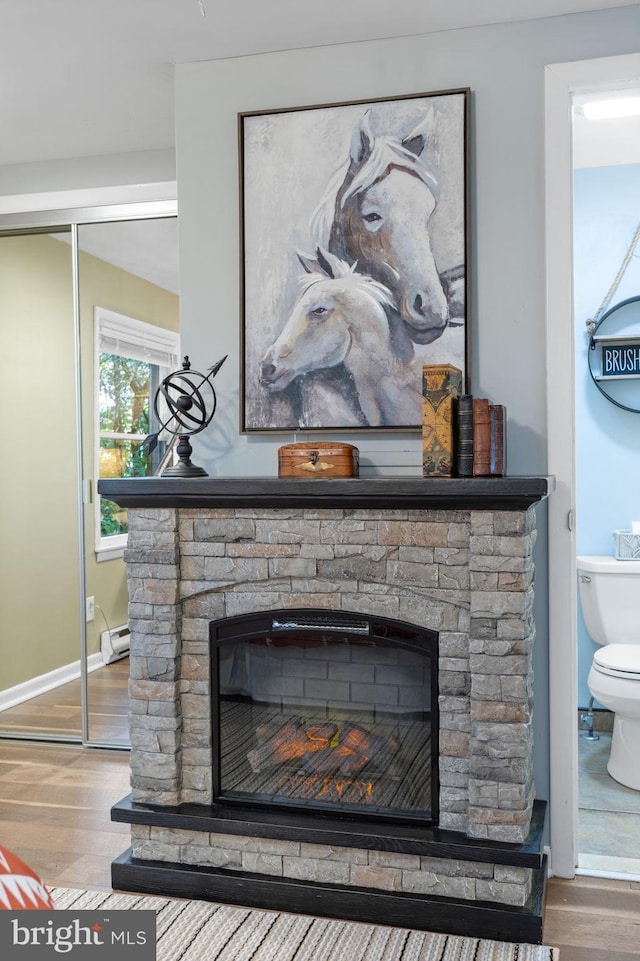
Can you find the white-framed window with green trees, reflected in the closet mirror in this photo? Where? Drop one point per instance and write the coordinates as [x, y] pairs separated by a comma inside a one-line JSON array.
[[132, 358]]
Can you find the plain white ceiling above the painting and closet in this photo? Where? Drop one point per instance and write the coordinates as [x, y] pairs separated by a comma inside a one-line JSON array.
[[91, 77]]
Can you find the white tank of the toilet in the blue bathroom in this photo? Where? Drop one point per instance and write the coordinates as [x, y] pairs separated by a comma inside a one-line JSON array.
[[610, 599]]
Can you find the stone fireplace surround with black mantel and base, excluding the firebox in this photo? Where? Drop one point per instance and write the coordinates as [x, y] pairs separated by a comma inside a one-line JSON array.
[[453, 557]]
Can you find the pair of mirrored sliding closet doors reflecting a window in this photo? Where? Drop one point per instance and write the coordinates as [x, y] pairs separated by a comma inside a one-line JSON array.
[[66, 590]]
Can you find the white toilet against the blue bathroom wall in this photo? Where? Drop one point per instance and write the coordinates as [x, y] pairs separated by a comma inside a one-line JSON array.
[[610, 600]]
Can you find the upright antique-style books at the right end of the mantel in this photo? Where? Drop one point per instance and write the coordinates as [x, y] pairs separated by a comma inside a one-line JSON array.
[[462, 435]]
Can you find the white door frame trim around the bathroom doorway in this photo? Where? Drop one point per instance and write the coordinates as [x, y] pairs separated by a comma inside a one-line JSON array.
[[565, 82]]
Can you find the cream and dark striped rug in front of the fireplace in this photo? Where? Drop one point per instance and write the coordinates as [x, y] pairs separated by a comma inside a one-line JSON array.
[[203, 931]]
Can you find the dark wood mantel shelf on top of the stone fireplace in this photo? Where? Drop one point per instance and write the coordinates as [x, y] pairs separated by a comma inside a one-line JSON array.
[[380, 493]]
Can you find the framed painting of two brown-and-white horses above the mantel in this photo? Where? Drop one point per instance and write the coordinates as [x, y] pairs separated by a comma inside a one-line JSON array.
[[354, 259]]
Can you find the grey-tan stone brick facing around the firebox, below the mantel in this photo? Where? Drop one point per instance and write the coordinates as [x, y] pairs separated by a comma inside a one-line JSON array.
[[466, 574]]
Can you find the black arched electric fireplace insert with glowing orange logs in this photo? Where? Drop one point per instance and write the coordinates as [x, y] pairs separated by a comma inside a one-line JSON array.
[[322, 711]]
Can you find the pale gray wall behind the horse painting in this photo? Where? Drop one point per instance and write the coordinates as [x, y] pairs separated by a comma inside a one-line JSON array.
[[504, 67]]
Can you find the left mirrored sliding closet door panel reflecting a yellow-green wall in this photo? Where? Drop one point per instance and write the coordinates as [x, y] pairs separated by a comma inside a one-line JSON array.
[[40, 605]]
